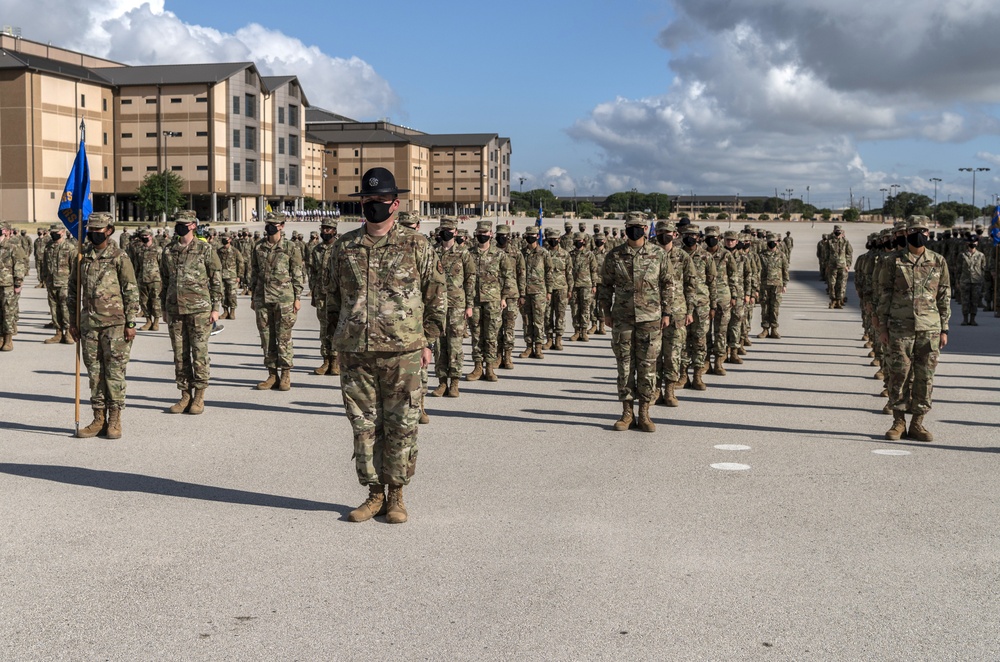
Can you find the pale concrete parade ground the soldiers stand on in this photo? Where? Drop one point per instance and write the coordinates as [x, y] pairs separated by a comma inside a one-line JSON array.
[[767, 518]]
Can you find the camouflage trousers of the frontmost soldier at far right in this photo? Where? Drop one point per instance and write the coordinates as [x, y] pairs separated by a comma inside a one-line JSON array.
[[913, 359]]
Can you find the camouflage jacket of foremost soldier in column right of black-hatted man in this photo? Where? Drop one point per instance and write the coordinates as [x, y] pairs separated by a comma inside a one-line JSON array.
[[637, 284]]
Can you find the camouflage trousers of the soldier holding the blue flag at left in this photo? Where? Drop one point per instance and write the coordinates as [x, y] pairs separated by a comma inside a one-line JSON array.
[[106, 353]]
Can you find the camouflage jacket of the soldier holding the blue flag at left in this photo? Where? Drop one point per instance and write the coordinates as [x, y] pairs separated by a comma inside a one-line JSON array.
[[109, 295]]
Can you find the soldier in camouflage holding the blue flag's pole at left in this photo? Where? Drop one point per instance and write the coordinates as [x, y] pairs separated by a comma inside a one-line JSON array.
[[105, 328]]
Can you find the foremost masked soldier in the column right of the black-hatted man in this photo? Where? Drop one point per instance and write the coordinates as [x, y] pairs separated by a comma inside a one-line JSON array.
[[637, 289]]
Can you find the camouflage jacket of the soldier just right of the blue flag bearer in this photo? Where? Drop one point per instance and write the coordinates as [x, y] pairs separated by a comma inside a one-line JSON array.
[[192, 278]]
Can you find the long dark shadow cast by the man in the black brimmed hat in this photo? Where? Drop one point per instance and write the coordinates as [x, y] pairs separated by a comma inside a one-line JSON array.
[[126, 482]]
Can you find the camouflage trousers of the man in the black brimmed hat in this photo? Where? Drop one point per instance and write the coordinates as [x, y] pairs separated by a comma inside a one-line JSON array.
[[382, 396]]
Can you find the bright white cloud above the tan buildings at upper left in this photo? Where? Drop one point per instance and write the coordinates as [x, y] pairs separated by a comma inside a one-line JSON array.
[[136, 32]]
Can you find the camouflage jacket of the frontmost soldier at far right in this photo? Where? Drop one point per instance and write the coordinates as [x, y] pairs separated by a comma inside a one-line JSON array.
[[914, 292]]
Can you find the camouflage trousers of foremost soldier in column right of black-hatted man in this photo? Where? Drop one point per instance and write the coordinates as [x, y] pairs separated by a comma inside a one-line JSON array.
[[636, 348]]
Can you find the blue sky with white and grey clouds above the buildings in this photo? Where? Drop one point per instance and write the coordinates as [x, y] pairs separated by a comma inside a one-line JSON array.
[[674, 96]]
